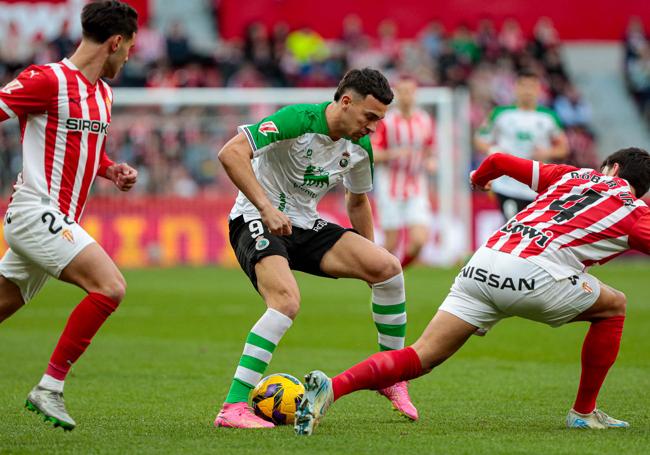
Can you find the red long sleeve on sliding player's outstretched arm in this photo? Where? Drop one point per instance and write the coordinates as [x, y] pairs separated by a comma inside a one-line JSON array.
[[536, 175]]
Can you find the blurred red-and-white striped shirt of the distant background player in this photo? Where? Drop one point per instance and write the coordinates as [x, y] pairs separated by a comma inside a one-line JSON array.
[[405, 176]]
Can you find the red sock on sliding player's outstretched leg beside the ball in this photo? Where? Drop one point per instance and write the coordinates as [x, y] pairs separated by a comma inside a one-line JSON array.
[[380, 370]]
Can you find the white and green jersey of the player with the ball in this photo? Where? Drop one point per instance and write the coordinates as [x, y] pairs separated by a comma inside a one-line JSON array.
[[297, 163]]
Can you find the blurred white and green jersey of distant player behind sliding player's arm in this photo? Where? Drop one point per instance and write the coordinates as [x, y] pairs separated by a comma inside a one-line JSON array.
[[518, 132]]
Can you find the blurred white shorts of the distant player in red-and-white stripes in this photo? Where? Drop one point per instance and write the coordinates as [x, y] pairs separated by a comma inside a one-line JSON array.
[[398, 213]]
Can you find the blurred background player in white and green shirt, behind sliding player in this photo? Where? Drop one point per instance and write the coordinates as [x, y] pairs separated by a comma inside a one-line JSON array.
[[527, 130]]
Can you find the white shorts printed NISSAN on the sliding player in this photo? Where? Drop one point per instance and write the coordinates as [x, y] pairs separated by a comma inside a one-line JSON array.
[[496, 285]]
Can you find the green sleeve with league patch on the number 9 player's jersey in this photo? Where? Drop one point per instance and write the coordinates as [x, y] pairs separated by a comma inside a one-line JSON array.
[[285, 124]]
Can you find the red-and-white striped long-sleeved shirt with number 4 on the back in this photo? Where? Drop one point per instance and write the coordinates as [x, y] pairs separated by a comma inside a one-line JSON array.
[[580, 217]]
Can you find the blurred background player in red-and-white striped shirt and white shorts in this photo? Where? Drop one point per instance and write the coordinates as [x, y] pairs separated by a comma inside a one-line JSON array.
[[403, 145]]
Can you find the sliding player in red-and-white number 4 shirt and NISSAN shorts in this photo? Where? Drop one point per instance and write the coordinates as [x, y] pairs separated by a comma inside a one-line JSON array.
[[533, 267]]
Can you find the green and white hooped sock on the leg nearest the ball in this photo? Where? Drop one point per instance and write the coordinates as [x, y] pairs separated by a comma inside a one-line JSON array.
[[258, 351]]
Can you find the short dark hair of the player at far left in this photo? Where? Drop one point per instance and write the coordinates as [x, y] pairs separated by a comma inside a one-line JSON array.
[[102, 19]]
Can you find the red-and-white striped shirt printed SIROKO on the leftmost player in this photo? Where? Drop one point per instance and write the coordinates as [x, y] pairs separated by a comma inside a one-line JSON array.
[[64, 121]]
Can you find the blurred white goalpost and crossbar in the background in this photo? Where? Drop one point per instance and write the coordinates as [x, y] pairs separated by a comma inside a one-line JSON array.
[[451, 234]]
